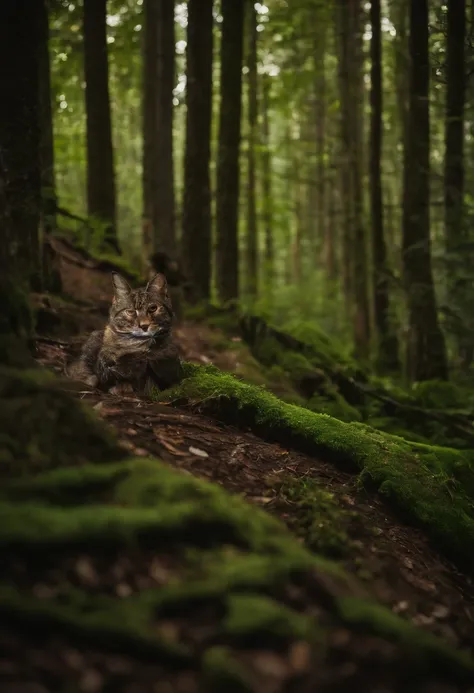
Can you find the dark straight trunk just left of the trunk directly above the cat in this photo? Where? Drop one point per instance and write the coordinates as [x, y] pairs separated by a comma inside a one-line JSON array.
[[101, 203]]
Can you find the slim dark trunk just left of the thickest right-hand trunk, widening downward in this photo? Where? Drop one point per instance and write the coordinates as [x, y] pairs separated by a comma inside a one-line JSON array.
[[387, 348]]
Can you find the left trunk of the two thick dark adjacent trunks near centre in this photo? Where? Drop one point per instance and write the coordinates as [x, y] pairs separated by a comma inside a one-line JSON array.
[[196, 241]]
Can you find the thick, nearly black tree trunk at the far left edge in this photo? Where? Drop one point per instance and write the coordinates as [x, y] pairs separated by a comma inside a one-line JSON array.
[[20, 182]]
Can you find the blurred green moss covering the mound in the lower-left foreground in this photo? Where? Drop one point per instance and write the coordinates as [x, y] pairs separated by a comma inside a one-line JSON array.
[[240, 569]]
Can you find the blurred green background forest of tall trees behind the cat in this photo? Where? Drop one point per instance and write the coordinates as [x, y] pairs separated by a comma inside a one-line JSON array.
[[312, 162]]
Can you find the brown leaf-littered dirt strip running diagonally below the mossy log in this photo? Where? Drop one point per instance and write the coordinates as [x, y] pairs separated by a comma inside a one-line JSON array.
[[322, 505]]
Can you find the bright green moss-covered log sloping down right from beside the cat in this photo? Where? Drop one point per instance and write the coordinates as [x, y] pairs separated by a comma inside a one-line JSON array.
[[430, 485]]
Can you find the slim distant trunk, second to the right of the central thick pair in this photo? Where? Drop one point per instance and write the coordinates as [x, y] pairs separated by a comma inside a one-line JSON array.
[[267, 185]]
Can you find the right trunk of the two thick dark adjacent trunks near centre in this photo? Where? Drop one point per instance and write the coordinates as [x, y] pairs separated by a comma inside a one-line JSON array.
[[227, 202]]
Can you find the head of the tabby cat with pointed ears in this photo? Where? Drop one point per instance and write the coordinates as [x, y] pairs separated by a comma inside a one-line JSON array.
[[142, 314]]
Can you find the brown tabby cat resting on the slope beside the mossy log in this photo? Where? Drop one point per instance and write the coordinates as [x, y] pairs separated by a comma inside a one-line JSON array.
[[135, 349]]
